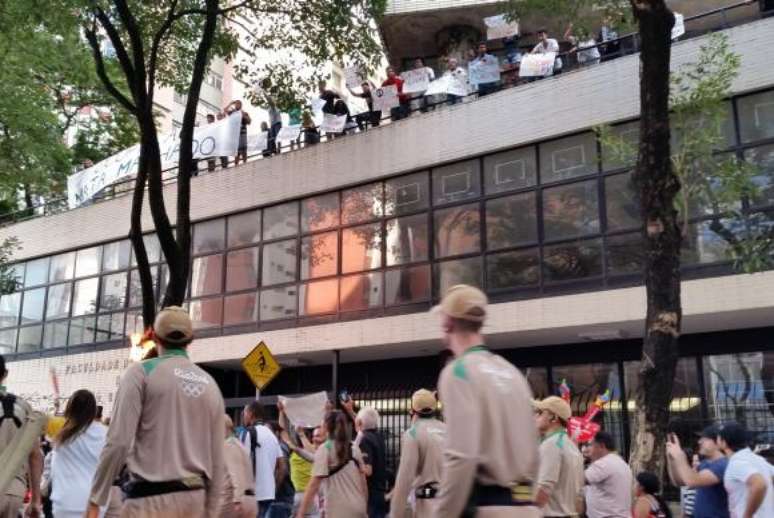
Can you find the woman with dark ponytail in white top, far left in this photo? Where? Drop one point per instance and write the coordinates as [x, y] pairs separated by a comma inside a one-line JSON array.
[[76, 453]]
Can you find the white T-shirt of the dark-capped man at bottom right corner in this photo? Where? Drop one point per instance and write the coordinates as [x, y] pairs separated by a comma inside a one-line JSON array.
[[742, 465]]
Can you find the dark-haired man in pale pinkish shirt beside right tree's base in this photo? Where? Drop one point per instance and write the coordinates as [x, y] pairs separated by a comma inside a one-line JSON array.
[[608, 481]]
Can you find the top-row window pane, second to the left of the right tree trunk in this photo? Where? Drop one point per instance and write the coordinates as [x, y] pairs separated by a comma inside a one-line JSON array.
[[567, 158]]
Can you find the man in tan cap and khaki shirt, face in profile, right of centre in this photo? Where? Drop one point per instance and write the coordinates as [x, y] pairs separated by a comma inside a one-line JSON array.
[[559, 490]]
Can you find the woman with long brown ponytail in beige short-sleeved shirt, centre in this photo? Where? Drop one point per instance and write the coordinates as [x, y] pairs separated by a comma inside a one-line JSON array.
[[338, 464]]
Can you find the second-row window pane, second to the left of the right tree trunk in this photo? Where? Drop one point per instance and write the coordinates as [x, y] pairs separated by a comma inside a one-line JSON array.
[[570, 211]]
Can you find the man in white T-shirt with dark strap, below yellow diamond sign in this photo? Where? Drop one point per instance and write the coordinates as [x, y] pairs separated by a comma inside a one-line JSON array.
[[265, 454]]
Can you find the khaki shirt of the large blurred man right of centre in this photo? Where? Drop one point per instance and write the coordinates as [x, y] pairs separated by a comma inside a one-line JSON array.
[[487, 406]]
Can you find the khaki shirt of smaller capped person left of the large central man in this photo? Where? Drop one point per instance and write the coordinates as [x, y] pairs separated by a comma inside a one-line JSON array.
[[421, 461]]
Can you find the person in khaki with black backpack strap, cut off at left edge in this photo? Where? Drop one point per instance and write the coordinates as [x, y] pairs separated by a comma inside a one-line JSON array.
[[15, 413]]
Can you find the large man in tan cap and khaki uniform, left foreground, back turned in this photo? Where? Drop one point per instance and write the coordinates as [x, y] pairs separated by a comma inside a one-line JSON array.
[[167, 427]]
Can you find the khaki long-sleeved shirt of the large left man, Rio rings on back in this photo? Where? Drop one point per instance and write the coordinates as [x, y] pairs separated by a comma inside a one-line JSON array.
[[167, 425]]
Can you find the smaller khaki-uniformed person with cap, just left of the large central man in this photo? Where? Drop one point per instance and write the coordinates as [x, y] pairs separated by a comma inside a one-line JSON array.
[[421, 457]]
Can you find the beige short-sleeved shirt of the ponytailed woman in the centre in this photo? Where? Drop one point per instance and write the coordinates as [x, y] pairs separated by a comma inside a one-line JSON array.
[[345, 491]]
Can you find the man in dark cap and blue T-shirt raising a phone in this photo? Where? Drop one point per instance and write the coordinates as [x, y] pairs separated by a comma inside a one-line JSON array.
[[710, 500]]
